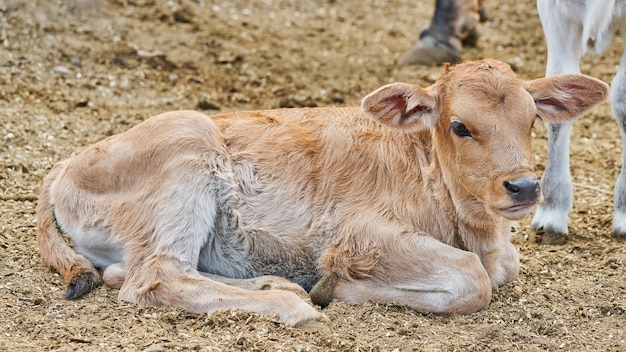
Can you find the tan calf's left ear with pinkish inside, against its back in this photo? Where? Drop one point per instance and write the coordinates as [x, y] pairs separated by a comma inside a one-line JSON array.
[[401, 105]]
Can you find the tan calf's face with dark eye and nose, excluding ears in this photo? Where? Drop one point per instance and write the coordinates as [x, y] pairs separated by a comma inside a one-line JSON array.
[[483, 139]]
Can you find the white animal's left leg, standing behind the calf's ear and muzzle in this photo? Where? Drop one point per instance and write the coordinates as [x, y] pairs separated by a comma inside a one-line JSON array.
[[563, 39]]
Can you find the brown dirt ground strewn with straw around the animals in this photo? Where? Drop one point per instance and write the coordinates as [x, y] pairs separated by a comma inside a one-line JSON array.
[[75, 71]]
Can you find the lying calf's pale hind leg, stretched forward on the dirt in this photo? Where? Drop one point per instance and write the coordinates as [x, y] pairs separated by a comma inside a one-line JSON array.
[[162, 249]]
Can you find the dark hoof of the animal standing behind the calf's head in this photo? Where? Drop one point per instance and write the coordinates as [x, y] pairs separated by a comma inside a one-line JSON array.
[[430, 51]]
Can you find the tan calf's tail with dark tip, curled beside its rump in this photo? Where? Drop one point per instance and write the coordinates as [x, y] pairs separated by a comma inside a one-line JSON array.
[[79, 274]]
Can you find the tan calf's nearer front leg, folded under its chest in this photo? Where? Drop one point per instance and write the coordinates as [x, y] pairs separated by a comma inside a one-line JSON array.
[[423, 273]]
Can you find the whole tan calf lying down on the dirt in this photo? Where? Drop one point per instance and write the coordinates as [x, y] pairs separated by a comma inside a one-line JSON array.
[[409, 198]]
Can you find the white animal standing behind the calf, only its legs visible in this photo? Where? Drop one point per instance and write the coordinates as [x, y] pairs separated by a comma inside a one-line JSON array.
[[572, 28]]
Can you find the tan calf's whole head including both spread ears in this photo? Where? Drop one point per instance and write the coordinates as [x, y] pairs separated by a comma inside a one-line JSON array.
[[480, 115]]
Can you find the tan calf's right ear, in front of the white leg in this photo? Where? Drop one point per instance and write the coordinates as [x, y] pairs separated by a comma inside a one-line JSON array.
[[565, 97]]
